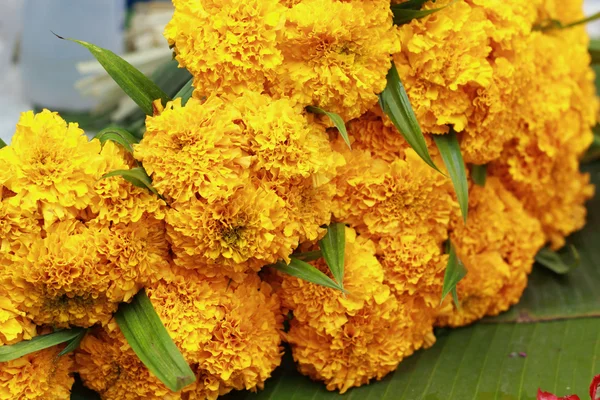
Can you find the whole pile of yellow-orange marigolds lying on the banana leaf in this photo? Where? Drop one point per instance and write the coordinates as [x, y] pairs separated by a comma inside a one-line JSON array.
[[245, 178]]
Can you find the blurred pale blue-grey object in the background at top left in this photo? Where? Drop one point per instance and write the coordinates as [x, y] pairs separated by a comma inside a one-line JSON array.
[[48, 63]]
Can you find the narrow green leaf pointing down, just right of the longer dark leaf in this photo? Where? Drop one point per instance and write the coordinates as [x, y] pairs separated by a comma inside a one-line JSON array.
[[450, 151]]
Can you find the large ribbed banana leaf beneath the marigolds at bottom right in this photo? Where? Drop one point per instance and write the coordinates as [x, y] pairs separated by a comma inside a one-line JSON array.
[[482, 361]]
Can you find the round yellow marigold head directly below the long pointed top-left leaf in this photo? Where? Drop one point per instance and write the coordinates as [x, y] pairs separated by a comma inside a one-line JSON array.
[[195, 150]]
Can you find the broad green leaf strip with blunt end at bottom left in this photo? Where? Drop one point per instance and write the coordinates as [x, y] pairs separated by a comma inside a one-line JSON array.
[[150, 340]]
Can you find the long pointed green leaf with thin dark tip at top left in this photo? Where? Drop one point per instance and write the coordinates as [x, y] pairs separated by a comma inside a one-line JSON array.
[[134, 83]]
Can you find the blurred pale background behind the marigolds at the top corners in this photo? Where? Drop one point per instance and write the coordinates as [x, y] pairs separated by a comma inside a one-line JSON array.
[[38, 70]]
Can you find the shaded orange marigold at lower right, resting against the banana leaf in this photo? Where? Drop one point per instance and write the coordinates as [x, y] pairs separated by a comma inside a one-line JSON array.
[[497, 247]]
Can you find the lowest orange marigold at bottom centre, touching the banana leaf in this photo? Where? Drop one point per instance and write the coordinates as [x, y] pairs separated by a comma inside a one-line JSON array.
[[368, 346]]
